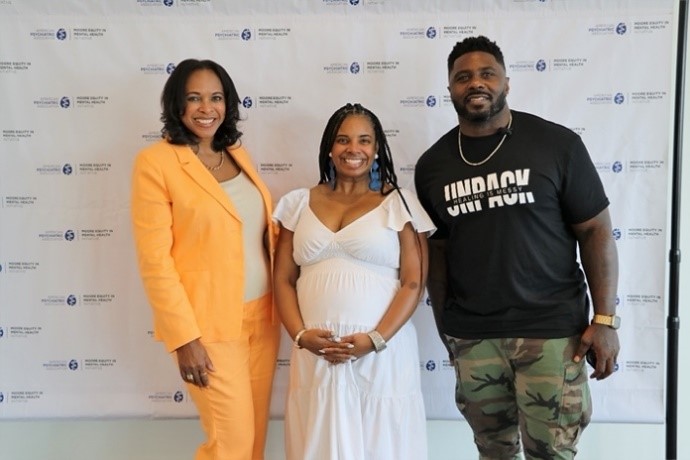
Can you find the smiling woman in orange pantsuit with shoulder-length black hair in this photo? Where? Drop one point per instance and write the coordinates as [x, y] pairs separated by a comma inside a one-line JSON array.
[[203, 232]]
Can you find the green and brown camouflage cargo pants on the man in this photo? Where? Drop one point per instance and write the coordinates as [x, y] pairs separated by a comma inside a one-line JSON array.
[[510, 390]]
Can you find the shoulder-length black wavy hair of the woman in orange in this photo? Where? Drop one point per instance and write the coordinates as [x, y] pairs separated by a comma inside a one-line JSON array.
[[173, 103]]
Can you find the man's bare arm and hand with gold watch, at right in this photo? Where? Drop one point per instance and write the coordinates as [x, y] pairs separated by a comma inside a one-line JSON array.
[[599, 259]]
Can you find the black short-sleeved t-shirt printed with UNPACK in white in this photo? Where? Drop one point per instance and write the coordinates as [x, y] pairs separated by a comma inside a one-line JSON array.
[[511, 252]]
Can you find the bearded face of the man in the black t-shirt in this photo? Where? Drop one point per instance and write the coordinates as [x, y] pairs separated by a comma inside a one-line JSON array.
[[478, 86]]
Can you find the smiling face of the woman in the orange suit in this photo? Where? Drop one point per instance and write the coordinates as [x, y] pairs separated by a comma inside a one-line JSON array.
[[204, 104]]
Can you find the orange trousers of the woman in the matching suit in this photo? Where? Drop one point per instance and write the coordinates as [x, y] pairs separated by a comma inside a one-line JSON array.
[[234, 408]]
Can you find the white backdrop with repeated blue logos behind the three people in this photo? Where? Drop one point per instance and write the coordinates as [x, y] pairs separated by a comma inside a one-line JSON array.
[[80, 84]]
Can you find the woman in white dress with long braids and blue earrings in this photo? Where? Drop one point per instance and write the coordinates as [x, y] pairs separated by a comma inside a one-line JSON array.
[[349, 273]]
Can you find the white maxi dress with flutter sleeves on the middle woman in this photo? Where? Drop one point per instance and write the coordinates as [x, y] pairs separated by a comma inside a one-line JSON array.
[[371, 408]]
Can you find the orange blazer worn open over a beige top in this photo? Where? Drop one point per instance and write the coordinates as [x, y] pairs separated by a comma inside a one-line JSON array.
[[189, 244]]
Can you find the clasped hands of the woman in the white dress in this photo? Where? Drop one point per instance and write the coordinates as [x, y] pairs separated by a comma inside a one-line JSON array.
[[334, 349]]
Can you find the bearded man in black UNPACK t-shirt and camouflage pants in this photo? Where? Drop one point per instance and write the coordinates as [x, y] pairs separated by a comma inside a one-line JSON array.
[[514, 197]]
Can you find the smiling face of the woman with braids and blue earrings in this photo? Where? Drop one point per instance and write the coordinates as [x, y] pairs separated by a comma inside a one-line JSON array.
[[354, 148]]
